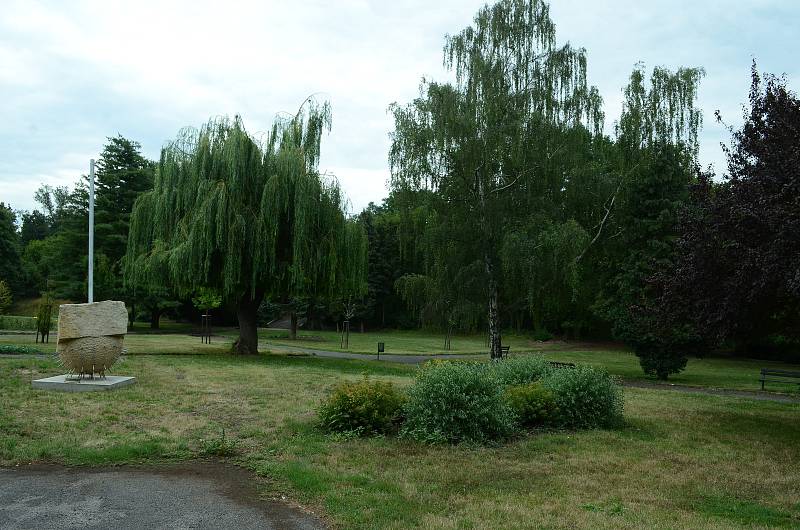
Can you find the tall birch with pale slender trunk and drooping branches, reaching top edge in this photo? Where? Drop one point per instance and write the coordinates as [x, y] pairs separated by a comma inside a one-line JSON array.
[[490, 145]]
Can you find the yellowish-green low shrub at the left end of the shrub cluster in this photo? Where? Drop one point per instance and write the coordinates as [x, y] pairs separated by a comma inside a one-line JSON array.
[[362, 407]]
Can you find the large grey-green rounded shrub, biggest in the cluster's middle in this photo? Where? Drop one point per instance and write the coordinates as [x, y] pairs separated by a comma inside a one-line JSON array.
[[457, 402]]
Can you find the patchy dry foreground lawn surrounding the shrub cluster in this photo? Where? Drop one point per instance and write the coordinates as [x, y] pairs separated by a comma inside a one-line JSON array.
[[682, 461]]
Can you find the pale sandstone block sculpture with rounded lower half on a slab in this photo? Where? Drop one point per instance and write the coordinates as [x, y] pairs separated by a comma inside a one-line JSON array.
[[90, 336]]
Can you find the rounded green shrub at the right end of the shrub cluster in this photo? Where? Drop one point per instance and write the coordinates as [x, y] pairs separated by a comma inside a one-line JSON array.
[[585, 397]]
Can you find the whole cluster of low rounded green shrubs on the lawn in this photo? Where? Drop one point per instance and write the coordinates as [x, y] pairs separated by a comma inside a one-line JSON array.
[[454, 402]]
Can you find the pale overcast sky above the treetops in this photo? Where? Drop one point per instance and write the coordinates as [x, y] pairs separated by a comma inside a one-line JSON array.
[[73, 73]]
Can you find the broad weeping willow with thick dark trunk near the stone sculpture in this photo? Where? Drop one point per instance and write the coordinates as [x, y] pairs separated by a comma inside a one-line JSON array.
[[246, 219]]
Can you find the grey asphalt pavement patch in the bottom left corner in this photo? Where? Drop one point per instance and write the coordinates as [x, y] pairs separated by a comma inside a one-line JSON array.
[[196, 496]]
